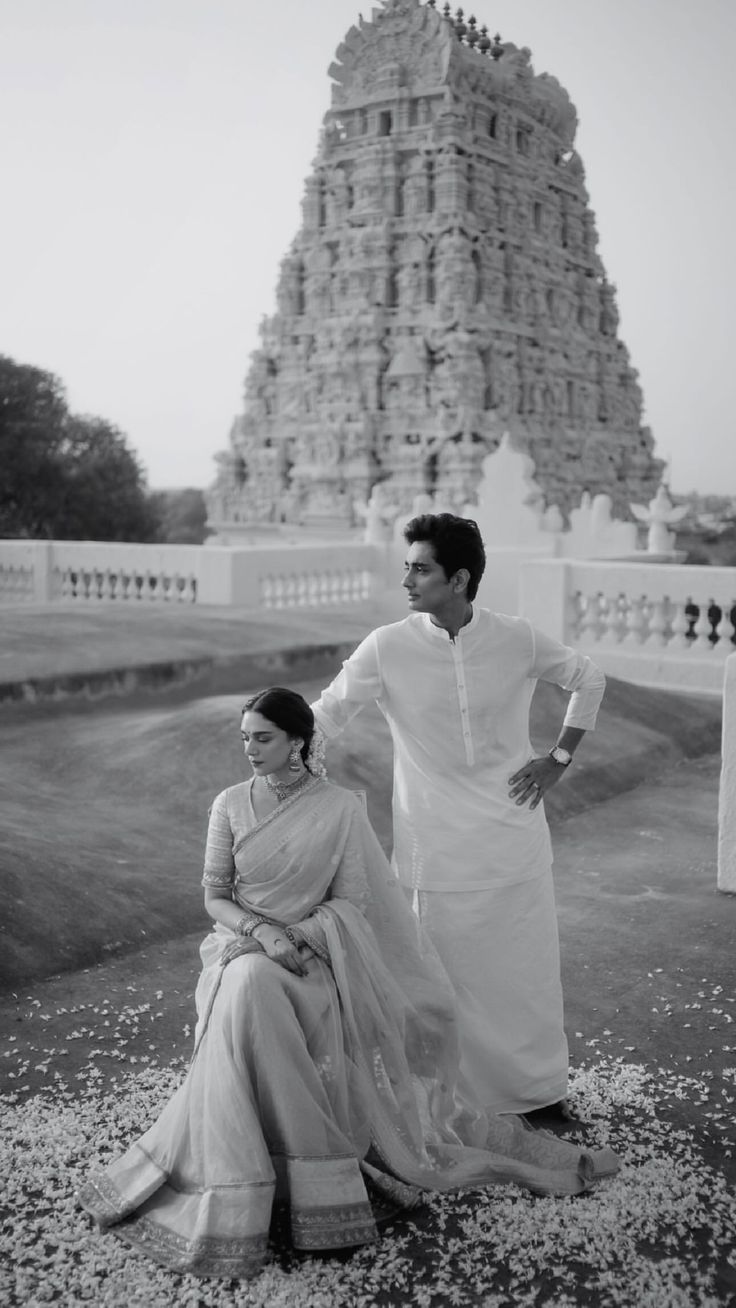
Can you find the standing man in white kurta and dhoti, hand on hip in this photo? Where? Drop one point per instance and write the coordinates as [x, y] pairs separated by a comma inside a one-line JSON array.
[[471, 842]]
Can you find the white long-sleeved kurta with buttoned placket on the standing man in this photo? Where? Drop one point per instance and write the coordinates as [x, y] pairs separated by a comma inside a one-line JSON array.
[[460, 717]]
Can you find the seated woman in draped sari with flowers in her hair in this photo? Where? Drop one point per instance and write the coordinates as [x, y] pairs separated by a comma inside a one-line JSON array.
[[326, 1048]]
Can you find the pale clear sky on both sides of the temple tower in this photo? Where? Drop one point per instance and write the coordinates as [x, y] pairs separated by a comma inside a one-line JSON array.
[[154, 164]]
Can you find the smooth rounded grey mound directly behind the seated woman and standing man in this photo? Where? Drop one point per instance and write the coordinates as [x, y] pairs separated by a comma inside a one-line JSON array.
[[107, 812]]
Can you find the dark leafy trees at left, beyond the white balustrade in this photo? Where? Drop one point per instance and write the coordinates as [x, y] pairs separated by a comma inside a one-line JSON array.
[[70, 477]]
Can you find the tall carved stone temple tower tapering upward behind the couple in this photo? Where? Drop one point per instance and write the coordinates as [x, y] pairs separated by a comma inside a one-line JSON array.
[[445, 288]]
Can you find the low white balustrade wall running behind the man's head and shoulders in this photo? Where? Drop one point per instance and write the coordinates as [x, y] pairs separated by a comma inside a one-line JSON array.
[[657, 625]]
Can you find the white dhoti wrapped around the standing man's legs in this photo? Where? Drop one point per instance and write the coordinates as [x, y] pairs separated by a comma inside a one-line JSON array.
[[501, 952]]
